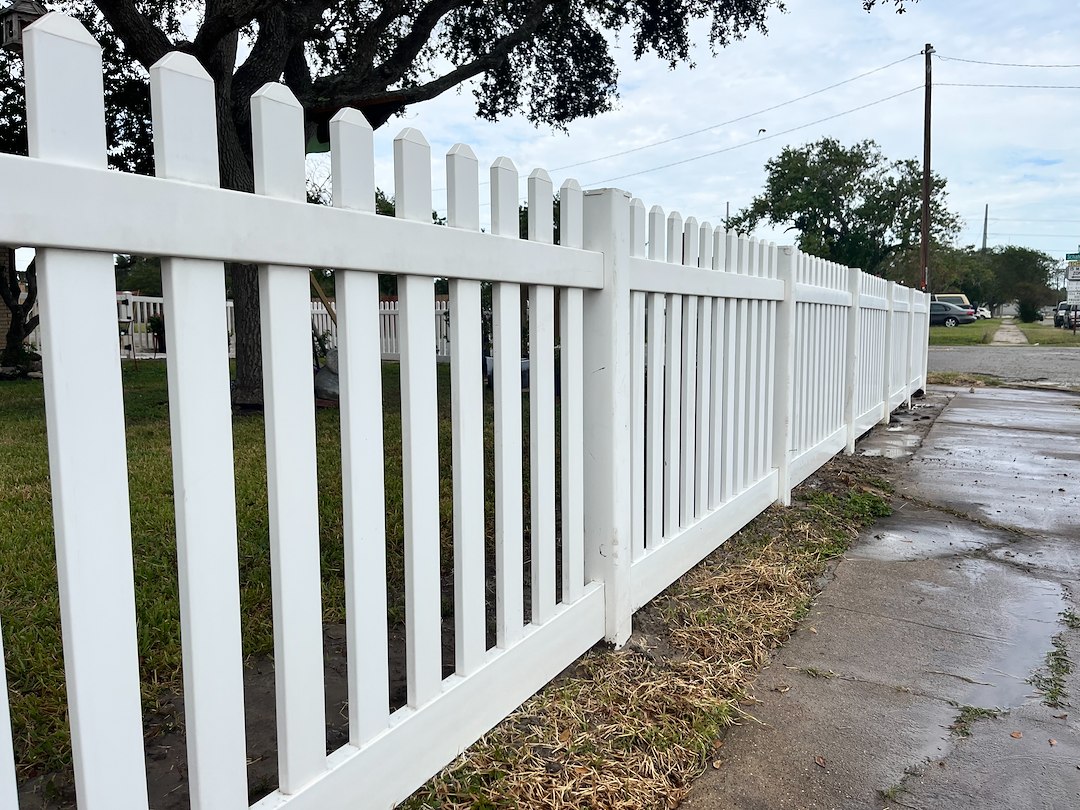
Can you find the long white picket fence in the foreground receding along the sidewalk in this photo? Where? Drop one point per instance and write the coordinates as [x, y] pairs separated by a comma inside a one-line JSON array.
[[703, 376]]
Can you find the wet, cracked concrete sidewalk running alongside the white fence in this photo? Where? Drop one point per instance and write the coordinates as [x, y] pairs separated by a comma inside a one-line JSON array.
[[950, 606]]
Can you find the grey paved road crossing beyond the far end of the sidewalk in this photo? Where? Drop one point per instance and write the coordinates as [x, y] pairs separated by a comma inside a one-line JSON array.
[[1055, 368]]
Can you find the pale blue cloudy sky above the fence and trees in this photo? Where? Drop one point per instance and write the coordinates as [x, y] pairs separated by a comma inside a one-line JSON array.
[[1010, 148]]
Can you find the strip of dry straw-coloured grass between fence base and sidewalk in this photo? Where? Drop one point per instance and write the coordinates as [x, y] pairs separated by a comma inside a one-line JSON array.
[[632, 728]]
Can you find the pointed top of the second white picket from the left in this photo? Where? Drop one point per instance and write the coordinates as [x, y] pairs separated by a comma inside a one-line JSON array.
[[185, 120]]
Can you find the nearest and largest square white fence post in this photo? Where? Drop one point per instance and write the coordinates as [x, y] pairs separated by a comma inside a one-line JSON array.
[[607, 450]]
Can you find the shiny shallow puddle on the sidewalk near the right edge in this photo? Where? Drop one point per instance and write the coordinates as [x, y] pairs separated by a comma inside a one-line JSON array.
[[1034, 606]]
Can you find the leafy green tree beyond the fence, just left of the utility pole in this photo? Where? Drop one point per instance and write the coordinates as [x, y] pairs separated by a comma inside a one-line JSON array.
[[849, 205]]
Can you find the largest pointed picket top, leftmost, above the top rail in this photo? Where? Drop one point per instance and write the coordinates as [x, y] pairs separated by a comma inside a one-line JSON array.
[[65, 92]]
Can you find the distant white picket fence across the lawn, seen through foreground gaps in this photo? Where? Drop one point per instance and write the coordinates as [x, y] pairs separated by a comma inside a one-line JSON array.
[[134, 314]]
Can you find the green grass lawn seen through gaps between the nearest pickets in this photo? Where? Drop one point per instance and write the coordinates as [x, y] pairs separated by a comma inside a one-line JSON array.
[[29, 595]]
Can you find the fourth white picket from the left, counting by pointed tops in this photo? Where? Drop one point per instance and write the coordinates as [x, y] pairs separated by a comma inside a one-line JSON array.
[[361, 413]]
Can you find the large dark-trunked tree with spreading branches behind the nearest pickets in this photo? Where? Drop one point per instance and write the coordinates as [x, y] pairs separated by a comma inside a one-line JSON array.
[[549, 60]]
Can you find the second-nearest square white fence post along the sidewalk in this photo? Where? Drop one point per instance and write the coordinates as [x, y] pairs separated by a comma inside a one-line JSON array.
[[785, 369]]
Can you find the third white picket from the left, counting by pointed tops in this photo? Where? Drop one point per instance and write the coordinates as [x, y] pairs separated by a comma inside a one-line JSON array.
[[292, 475]]
